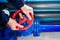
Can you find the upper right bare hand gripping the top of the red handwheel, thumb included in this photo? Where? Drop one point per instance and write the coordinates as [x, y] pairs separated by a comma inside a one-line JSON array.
[[26, 9]]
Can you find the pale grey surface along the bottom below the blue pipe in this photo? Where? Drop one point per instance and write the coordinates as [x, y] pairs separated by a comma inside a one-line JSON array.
[[43, 36]]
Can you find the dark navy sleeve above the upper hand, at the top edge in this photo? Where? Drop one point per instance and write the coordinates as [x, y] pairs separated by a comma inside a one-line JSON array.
[[16, 3]]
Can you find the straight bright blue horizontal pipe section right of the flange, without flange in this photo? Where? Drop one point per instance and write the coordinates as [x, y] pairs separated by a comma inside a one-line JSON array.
[[50, 28]]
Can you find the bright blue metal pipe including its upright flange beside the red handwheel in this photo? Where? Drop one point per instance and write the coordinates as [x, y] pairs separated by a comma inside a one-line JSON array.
[[44, 28]]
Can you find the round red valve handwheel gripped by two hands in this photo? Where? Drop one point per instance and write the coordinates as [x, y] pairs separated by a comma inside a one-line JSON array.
[[30, 22]]
